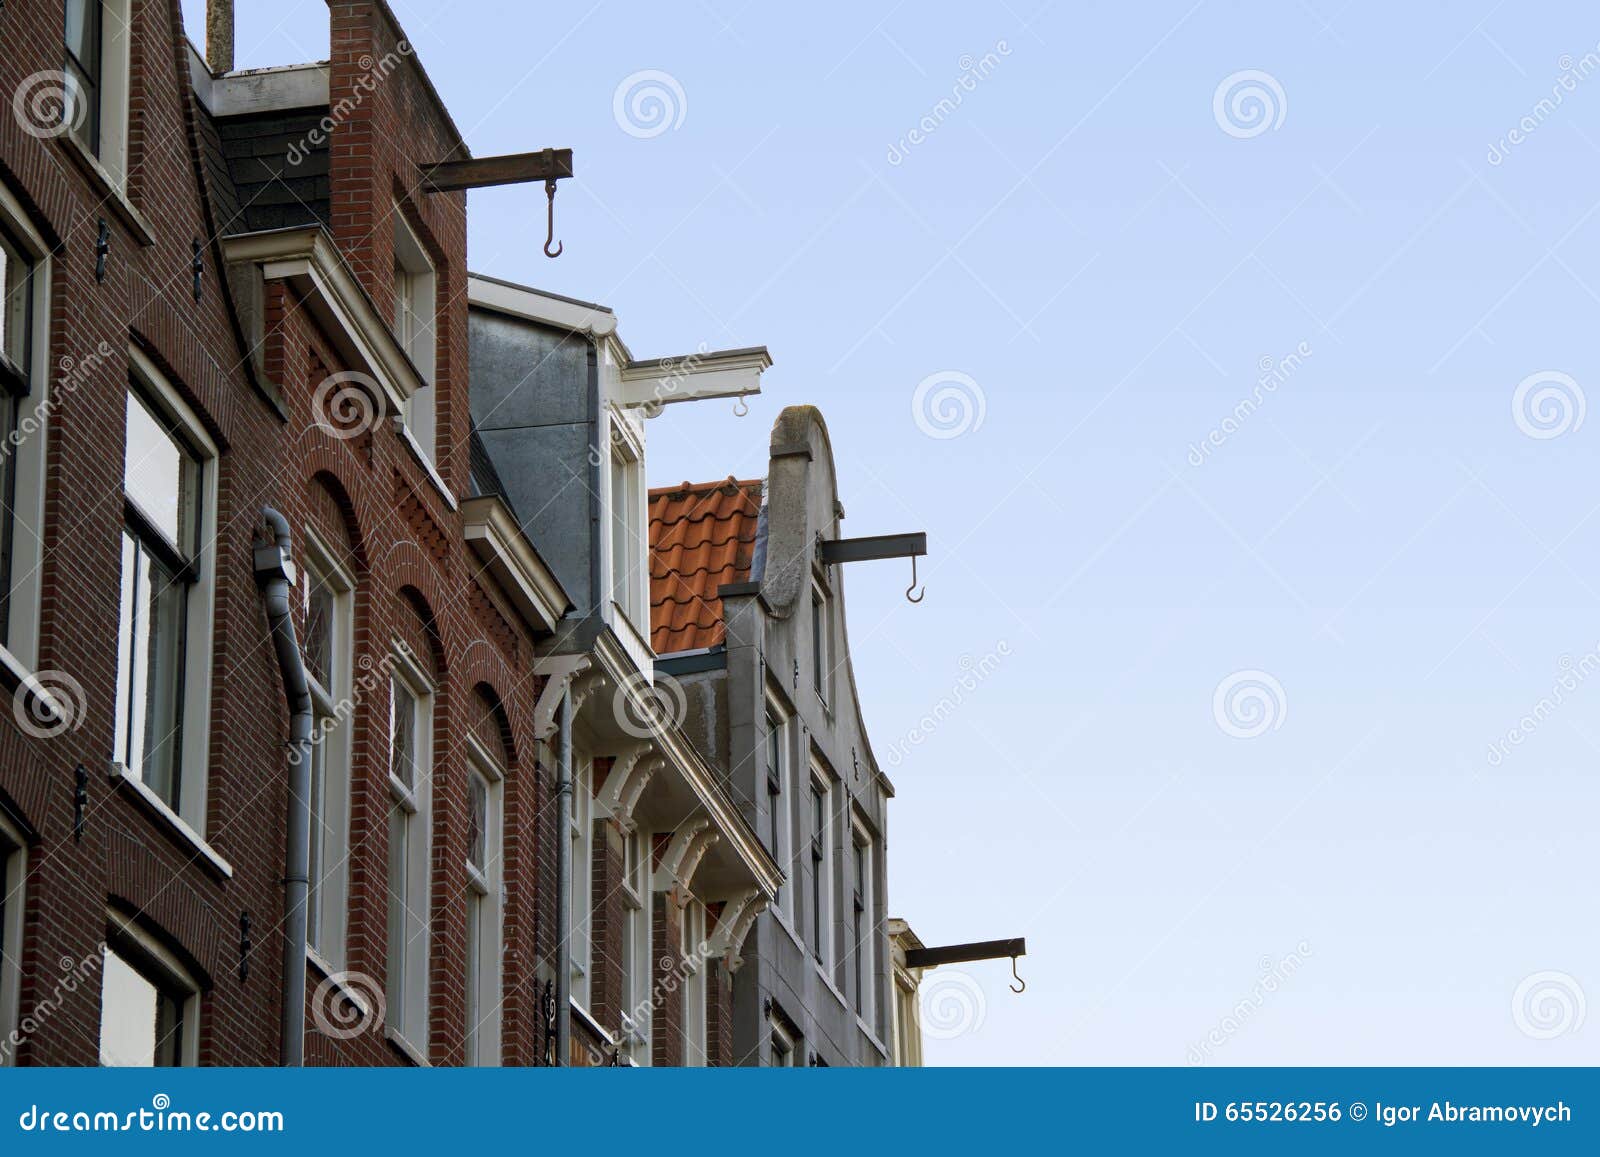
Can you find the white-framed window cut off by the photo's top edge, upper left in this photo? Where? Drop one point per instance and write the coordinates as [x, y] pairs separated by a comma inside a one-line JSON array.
[[95, 65]]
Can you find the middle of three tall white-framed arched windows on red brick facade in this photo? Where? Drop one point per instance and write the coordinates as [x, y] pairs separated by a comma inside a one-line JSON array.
[[410, 849]]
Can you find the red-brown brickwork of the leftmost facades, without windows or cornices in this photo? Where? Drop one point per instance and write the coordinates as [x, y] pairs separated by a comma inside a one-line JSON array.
[[369, 497]]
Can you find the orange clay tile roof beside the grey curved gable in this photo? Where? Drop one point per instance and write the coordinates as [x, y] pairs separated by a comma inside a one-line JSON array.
[[702, 538]]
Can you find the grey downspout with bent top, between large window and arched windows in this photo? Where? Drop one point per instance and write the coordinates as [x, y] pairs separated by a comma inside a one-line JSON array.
[[276, 575]]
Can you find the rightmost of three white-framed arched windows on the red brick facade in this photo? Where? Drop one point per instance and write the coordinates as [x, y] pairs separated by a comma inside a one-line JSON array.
[[486, 899]]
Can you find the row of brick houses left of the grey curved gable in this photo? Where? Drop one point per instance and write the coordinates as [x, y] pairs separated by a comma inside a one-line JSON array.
[[234, 292]]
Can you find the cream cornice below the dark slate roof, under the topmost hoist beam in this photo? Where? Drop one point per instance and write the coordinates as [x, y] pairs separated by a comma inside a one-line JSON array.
[[308, 258]]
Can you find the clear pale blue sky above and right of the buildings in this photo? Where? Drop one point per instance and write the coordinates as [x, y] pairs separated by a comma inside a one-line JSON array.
[[1110, 260]]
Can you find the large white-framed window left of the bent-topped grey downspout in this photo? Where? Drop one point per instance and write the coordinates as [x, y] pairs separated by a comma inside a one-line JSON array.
[[164, 635]]
